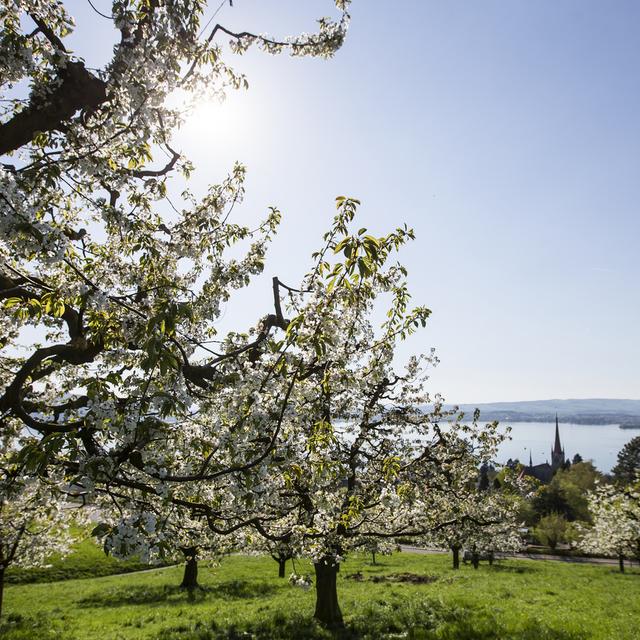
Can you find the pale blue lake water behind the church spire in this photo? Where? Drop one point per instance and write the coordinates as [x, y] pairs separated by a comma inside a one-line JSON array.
[[597, 442]]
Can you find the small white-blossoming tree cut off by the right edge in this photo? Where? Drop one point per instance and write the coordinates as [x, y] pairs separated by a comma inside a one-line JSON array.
[[615, 512]]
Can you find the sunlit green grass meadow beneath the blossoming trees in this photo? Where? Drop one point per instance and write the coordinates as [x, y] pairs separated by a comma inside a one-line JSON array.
[[410, 596]]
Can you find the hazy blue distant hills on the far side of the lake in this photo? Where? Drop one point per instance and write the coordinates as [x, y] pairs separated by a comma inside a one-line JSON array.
[[588, 411]]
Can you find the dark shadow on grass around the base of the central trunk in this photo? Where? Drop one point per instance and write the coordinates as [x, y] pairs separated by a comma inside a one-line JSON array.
[[423, 620]]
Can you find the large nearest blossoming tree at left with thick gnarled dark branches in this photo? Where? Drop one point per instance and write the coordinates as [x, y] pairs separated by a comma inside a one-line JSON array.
[[111, 288]]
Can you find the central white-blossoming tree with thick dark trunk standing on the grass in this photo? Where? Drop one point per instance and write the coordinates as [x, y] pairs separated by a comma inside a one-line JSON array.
[[361, 456]]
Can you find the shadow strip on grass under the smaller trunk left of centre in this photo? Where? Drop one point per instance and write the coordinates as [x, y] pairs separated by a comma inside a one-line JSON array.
[[174, 595]]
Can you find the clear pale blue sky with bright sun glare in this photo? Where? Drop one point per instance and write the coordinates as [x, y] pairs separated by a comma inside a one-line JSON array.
[[506, 133]]
